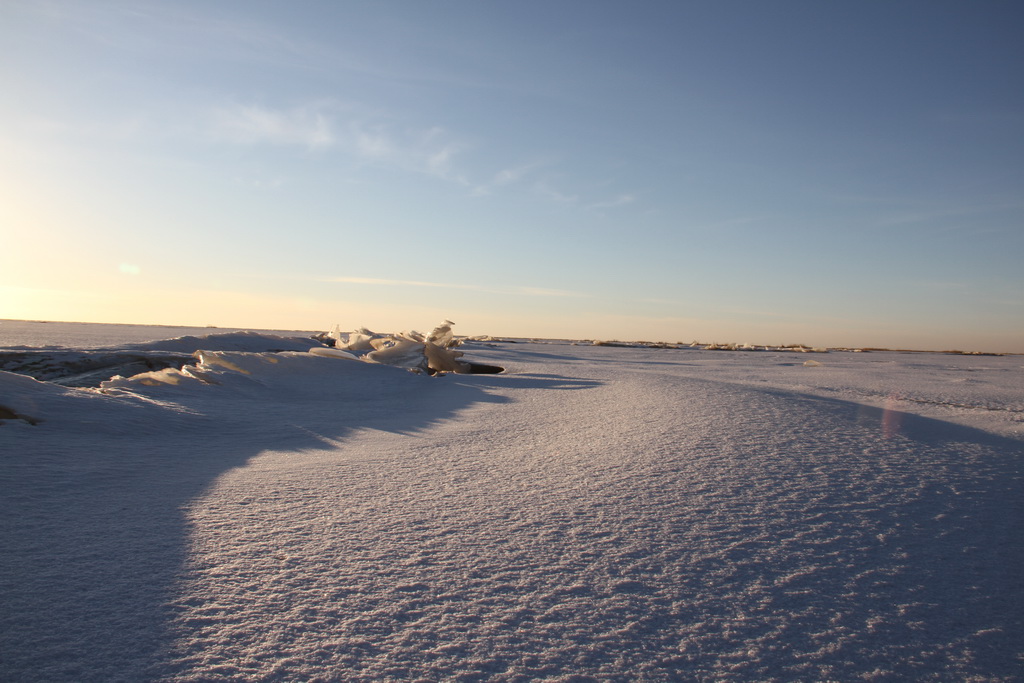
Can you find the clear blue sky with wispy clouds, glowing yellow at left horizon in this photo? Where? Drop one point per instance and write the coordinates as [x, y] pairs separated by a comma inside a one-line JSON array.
[[826, 174]]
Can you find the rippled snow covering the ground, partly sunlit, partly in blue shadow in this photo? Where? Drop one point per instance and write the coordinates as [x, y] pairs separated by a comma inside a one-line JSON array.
[[595, 513]]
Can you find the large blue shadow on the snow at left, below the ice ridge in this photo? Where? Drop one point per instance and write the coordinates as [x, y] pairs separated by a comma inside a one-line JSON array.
[[94, 538]]
